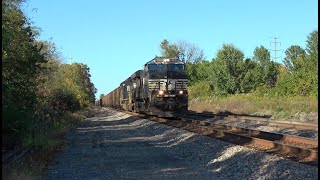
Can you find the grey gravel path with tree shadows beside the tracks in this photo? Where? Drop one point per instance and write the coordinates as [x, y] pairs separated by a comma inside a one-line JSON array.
[[114, 145]]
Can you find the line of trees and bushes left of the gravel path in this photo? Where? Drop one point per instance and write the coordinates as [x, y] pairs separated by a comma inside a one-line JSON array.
[[37, 89]]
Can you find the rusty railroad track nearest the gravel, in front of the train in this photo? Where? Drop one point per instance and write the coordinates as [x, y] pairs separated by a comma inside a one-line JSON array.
[[299, 149]]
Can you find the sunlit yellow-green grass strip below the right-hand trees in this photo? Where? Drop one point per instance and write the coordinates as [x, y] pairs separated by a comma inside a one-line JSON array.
[[297, 108]]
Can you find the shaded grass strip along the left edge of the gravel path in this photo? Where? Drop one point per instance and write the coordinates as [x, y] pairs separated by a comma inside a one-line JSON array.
[[47, 145]]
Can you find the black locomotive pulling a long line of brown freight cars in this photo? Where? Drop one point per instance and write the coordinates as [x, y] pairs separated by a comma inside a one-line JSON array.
[[159, 89]]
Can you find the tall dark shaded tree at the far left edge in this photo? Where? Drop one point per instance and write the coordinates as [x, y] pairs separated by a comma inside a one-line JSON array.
[[21, 63]]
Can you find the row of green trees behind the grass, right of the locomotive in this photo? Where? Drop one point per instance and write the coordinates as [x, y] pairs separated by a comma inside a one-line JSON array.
[[230, 72]]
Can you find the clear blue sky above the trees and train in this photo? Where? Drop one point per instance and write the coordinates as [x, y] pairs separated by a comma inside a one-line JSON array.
[[116, 37]]
